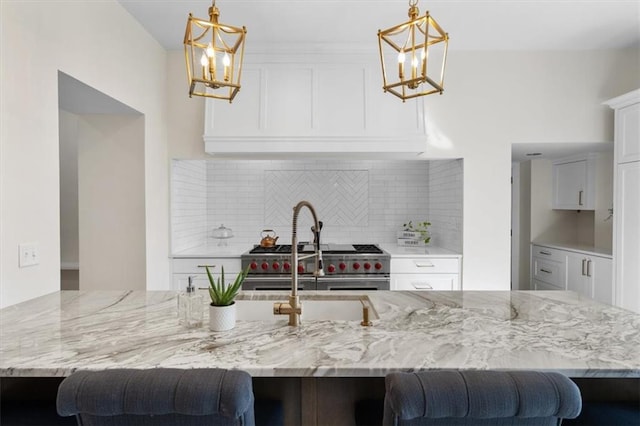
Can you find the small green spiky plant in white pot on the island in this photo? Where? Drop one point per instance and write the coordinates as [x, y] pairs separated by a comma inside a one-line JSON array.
[[222, 309]]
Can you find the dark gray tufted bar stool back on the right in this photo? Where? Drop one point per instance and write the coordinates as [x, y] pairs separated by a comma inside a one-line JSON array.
[[479, 398]]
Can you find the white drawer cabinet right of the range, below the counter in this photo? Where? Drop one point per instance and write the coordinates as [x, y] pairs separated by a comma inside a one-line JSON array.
[[425, 273]]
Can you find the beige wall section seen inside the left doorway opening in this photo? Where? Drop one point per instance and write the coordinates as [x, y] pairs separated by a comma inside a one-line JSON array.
[[111, 202]]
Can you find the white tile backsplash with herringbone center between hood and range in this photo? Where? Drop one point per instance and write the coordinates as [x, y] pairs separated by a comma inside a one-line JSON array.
[[363, 201]]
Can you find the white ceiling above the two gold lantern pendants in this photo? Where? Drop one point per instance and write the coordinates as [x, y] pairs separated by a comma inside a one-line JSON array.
[[471, 24]]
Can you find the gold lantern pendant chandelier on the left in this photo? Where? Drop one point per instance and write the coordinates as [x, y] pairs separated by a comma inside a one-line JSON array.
[[214, 54]]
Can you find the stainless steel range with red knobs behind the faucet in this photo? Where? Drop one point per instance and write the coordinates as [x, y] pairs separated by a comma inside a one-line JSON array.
[[346, 267]]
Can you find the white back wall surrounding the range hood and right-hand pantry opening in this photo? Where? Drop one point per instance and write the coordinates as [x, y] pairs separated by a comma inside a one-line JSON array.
[[491, 100]]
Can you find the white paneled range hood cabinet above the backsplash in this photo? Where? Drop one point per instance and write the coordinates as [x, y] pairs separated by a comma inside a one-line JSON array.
[[297, 106]]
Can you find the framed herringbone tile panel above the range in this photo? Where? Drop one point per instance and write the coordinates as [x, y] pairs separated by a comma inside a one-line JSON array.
[[340, 197]]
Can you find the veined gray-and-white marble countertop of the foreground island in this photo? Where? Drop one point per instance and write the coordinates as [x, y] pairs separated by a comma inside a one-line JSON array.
[[59, 333]]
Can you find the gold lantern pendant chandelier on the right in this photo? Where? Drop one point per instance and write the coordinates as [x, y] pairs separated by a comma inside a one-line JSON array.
[[419, 49]]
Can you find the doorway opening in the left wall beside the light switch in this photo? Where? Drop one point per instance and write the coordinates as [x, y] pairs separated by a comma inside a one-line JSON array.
[[102, 201]]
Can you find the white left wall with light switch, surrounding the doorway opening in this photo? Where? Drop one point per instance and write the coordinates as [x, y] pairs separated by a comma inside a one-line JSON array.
[[100, 44]]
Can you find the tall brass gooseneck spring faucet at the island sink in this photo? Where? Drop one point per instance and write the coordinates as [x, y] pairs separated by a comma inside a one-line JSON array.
[[294, 307]]
